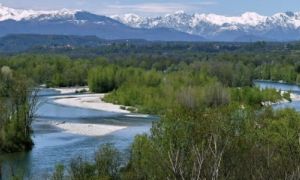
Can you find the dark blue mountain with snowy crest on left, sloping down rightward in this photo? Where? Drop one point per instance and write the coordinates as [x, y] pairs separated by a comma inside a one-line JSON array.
[[77, 22]]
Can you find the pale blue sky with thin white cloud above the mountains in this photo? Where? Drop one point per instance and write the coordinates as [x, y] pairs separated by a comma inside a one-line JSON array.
[[159, 7]]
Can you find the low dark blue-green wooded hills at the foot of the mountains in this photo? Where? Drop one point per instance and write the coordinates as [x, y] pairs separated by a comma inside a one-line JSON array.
[[91, 45]]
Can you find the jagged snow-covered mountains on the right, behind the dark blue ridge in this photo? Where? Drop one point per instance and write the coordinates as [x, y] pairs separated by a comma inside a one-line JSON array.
[[280, 26]]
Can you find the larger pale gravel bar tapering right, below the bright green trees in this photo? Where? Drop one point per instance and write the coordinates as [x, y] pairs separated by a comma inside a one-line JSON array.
[[89, 101]]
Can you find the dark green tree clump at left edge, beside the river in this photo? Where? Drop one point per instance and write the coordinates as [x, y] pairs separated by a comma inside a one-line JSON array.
[[17, 106]]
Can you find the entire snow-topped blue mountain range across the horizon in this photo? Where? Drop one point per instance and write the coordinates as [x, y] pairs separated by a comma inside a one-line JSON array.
[[179, 26]]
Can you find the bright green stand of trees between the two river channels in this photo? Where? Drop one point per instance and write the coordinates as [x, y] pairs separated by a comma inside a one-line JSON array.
[[154, 91]]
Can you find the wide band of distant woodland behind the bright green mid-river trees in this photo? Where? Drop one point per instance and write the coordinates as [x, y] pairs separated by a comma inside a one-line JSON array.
[[235, 69]]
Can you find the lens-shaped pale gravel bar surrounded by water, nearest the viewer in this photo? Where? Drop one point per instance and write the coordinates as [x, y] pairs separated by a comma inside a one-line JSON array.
[[88, 129]]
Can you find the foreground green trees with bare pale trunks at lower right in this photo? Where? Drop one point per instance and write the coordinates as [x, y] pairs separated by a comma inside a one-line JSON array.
[[224, 143]]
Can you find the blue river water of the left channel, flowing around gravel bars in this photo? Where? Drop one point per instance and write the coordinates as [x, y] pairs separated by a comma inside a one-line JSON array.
[[55, 146]]
